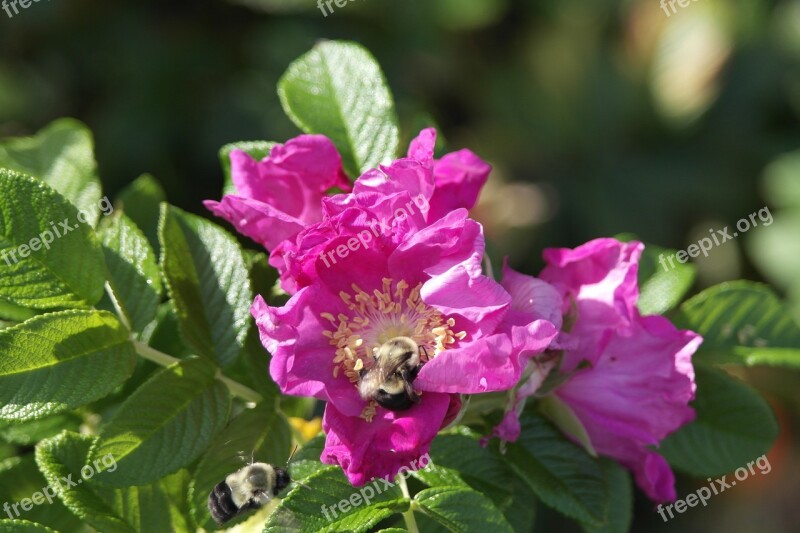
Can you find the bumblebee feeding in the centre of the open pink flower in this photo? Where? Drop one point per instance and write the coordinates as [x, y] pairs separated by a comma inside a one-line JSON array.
[[389, 379]]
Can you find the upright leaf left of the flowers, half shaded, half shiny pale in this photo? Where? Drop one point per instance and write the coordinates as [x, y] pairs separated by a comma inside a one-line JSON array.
[[207, 278]]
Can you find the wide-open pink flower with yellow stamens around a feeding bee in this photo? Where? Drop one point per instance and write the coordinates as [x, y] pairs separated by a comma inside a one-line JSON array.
[[415, 278]]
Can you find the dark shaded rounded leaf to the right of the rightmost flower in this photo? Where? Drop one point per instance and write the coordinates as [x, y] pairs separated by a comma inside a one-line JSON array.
[[734, 425]]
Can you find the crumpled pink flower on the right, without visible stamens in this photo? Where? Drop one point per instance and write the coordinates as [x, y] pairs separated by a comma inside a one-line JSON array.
[[639, 379]]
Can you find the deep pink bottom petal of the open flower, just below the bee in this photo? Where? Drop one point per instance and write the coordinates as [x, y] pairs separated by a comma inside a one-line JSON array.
[[391, 441]]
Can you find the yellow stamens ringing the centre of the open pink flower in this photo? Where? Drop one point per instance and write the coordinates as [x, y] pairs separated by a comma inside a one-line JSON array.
[[377, 318]]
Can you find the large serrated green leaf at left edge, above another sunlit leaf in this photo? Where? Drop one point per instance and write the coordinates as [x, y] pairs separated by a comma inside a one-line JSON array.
[[68, 271]]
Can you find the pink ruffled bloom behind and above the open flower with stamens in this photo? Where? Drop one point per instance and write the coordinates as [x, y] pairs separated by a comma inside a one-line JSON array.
[[282, 201]]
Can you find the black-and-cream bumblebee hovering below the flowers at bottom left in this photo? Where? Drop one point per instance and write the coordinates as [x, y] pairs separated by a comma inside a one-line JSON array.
[[250, 487]]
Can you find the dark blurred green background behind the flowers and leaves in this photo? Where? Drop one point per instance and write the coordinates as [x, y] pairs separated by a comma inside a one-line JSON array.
[[599, 116]]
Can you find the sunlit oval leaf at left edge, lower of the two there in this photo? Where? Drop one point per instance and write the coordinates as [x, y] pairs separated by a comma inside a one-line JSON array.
[[56, 362]]
